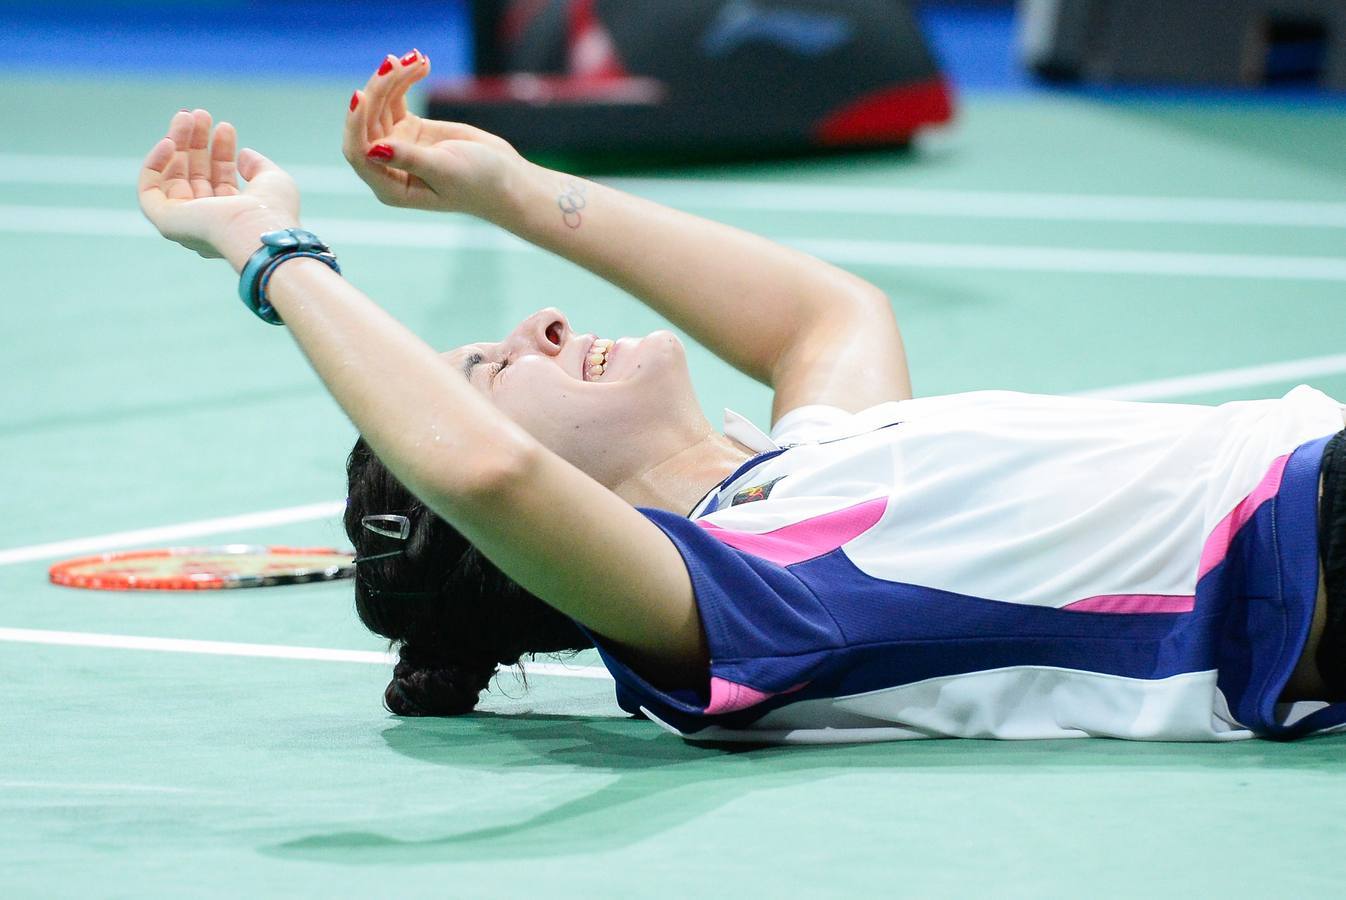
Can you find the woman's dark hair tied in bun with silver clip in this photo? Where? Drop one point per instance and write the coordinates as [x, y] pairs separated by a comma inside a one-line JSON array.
[[453, 615]]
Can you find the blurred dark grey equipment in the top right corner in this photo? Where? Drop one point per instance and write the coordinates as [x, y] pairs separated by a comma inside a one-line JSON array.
[[1195, 42]]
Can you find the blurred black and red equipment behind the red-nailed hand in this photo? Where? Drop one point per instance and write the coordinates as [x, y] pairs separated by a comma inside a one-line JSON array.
[[698, 77]]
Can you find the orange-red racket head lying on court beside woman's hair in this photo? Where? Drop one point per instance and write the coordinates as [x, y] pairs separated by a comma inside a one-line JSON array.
[[212, 568]]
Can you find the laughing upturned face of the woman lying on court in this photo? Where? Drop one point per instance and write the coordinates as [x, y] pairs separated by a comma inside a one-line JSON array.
[[614, 408]]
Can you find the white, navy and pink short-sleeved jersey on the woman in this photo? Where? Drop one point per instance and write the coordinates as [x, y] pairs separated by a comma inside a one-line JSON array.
[[1006, 566]]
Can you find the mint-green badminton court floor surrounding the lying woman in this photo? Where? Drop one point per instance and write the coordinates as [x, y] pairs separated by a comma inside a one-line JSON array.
[[1164, 251]]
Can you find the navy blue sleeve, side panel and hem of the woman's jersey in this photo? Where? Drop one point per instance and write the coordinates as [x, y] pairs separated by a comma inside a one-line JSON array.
[[823, 629]]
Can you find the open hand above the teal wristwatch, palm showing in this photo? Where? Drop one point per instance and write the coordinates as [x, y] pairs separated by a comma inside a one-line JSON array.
[[189, 190]]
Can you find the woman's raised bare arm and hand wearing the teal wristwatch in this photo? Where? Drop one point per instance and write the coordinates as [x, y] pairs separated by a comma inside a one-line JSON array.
[[559, 533]]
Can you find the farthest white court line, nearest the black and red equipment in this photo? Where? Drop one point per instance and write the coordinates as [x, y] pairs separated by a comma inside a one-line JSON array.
[[102, 172]]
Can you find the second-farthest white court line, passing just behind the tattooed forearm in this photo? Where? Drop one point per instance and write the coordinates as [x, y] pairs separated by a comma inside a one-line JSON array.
[[894, 255]]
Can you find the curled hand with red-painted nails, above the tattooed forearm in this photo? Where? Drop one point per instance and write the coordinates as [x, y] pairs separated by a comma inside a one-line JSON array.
[[423, 163]]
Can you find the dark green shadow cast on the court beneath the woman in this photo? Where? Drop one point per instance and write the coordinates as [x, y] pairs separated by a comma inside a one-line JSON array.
[[662, 784]]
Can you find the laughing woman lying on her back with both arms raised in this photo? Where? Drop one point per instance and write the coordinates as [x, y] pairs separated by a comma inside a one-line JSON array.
[[877, 567]]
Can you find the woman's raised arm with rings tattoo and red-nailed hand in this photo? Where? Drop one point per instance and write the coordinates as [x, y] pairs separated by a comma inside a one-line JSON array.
[[814, 333]]
